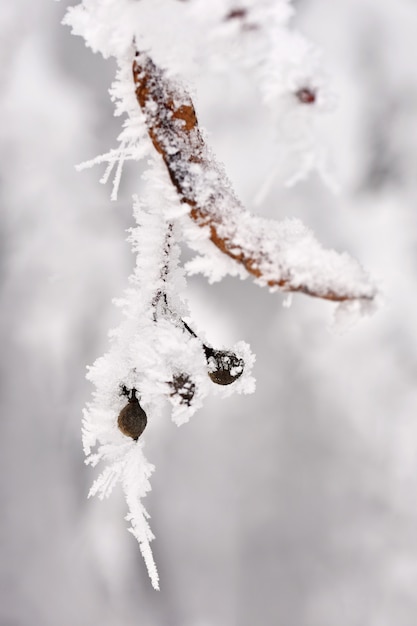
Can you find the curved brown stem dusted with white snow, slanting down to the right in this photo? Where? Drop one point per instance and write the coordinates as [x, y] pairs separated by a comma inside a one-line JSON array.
[[278, 254]]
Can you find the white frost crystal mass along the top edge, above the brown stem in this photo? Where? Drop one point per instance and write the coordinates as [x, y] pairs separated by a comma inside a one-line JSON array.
[[186, 38]]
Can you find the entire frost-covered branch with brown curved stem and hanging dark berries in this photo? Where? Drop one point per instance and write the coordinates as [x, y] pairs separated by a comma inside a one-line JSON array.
[[156, 358]]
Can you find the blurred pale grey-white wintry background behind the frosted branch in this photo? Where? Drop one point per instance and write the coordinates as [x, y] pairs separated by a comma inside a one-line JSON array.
[[293, 506]]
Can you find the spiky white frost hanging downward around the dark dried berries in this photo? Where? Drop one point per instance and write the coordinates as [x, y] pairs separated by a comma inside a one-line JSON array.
[[151, 352]]
